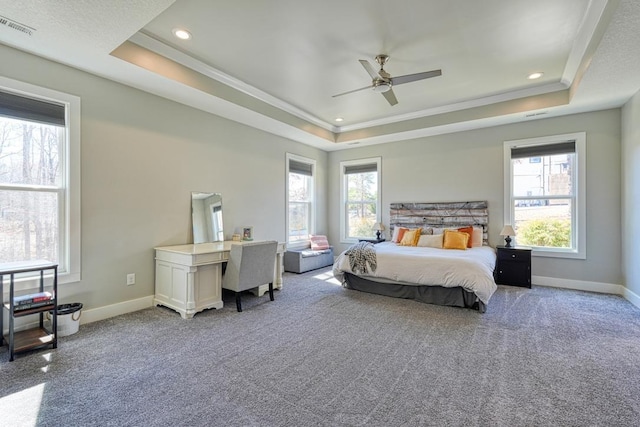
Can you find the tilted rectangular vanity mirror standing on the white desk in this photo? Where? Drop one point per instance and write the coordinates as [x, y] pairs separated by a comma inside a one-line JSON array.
[[206, 213]]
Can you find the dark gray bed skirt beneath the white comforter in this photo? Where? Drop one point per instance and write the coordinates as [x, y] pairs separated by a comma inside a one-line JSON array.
[[439, 295]]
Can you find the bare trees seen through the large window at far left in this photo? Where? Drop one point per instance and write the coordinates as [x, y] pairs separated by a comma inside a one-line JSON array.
[[30, 190]]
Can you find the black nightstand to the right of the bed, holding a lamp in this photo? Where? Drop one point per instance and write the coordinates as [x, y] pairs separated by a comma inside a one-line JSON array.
[[513, 266]]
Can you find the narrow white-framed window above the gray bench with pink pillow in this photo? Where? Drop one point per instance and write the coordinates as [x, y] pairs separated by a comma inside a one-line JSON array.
[[300, 199]]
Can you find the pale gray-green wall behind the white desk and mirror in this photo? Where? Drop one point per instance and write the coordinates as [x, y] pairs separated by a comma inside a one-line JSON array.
[[142, 155]]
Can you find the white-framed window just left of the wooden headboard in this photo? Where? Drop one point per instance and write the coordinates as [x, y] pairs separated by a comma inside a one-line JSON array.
[[360, 198]]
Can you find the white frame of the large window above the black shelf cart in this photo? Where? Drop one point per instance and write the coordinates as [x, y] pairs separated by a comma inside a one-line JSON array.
[[69, 221]]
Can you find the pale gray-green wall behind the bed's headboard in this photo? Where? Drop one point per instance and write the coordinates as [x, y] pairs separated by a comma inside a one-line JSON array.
[[469, 166]]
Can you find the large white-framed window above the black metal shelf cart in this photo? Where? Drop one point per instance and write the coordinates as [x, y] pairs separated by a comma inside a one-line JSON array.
[[40, 176]]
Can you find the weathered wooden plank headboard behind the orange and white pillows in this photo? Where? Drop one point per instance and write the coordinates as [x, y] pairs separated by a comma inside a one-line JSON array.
[[452, 214]]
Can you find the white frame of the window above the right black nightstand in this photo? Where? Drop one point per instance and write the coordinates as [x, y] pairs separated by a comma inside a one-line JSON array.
[[578, 220]]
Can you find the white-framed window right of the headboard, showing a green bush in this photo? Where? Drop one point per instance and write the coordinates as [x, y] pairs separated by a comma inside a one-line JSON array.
[[545, 194]]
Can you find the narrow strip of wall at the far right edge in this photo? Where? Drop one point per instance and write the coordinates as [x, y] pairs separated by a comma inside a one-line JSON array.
[[631, 193]]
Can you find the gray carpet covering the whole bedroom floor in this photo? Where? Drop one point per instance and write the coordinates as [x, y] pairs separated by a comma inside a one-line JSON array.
[[321, 355]]
